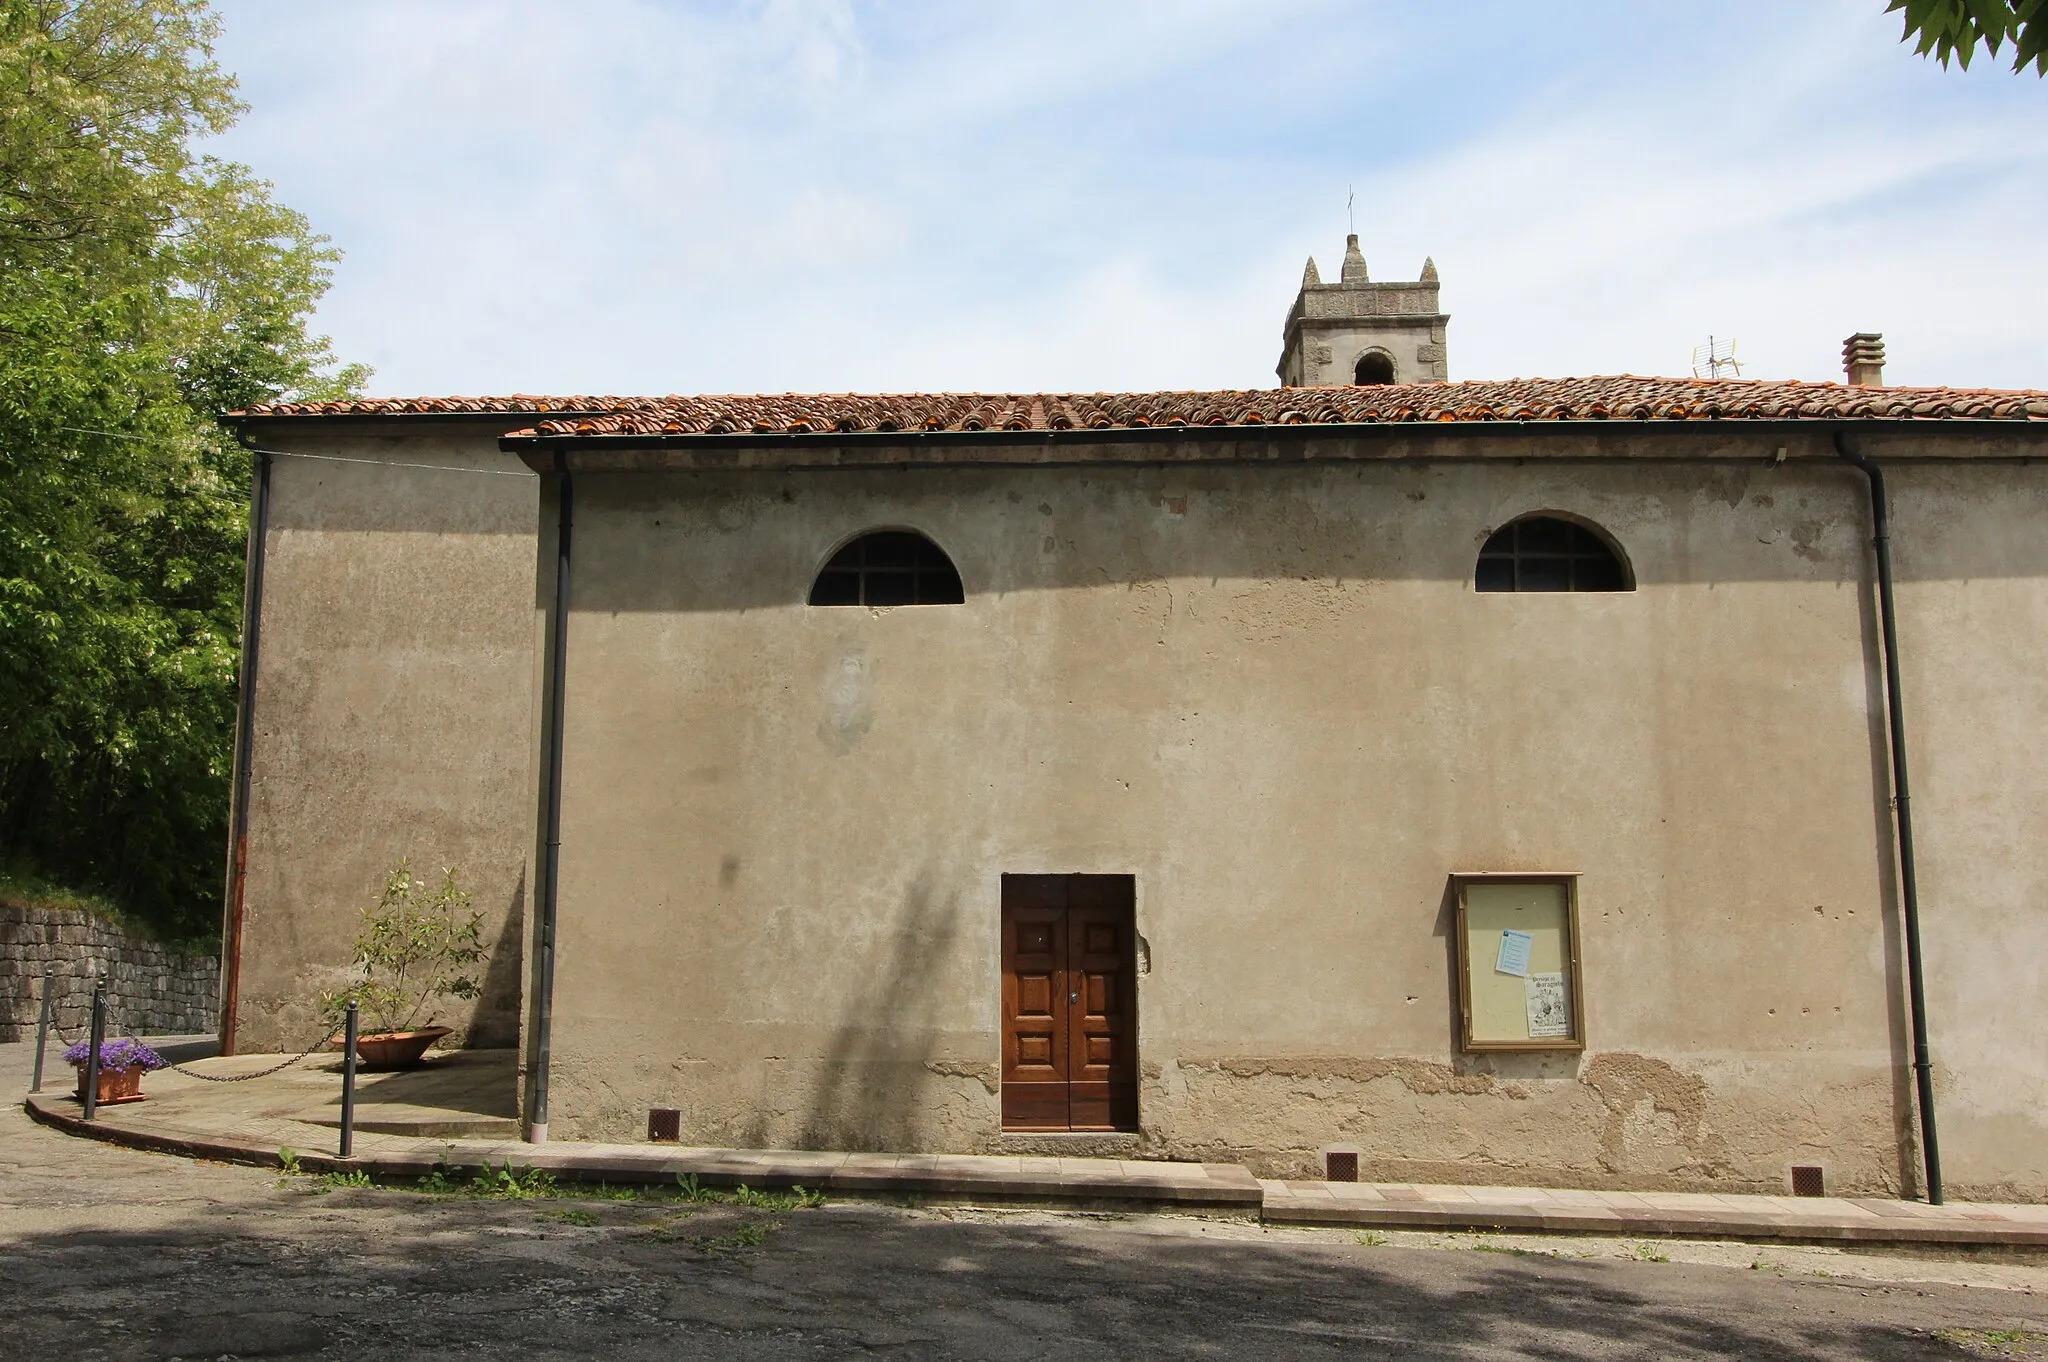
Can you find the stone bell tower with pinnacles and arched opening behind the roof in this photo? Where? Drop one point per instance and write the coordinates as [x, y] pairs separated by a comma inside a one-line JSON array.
[[1363, 333]]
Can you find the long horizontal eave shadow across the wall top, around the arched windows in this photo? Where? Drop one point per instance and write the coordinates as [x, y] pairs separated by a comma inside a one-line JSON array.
[[738, 542]]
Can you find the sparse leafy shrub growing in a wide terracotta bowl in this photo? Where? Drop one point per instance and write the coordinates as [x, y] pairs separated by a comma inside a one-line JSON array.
[[417, 947]]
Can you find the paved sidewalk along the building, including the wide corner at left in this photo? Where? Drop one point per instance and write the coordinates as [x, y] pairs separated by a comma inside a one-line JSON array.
[[415, 1123]]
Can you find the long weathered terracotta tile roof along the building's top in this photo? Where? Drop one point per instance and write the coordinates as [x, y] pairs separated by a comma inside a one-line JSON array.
[[1510, 400]]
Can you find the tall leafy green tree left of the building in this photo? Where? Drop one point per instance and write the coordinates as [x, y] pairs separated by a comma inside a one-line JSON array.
[[144, 290]]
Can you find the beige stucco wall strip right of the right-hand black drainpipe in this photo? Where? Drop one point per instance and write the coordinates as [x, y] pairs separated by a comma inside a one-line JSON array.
[[1973, 620]]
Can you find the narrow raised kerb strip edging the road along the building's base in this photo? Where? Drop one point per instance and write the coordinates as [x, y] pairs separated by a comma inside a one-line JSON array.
[[1121, 1185]]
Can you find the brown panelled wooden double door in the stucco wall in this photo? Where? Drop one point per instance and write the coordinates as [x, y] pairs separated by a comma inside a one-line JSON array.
[[1070, 1003]]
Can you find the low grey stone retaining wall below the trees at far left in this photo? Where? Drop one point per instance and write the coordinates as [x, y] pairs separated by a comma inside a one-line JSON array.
[[151, 990]]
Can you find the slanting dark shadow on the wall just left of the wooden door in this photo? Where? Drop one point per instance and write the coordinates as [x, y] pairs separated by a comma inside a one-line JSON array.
[[867, 1087]]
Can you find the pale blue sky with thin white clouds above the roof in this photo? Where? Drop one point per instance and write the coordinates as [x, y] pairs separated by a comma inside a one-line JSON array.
[[820, 196]]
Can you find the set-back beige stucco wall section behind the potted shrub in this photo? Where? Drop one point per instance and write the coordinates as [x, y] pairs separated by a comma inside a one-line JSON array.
[[394, 712]]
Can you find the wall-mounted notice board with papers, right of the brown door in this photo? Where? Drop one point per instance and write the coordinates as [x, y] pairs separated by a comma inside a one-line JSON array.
[[1519, 964]]
